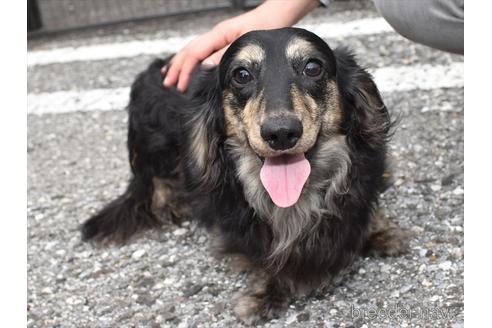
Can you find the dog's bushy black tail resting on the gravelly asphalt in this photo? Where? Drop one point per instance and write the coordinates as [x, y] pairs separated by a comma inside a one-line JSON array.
[[123, 217]]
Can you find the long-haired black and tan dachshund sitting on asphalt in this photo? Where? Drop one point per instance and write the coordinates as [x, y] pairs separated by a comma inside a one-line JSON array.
[[280, 151]]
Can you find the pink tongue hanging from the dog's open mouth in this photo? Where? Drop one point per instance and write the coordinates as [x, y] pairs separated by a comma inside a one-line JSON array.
[[284, 176]]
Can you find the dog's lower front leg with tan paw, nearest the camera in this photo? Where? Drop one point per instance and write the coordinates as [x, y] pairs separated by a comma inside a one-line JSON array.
[[266, 298]]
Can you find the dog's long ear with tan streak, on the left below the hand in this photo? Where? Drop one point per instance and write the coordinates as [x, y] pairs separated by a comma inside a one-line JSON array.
[[205, 133]]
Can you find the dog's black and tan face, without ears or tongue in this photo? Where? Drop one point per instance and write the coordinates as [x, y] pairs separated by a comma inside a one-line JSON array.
[[276, 86]]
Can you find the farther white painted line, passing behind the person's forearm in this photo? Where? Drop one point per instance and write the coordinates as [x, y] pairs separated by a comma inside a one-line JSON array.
[[172, 45]]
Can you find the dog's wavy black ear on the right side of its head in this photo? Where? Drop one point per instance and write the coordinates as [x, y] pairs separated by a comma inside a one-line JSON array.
[[366, 119]]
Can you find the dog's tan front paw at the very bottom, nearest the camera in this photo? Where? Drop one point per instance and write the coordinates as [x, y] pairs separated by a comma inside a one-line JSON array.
[[253, 309]]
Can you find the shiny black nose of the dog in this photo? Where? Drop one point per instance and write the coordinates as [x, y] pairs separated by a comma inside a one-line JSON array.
[[281, 133]]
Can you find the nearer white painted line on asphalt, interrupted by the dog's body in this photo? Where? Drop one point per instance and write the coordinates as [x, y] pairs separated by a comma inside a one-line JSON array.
[[388, 79]]
